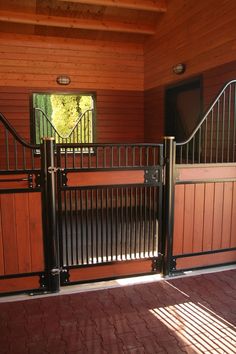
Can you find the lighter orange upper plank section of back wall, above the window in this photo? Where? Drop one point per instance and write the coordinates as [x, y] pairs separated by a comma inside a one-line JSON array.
[[34, 61]]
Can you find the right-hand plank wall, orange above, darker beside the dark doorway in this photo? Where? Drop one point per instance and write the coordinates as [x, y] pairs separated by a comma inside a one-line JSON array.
[[199, 34]]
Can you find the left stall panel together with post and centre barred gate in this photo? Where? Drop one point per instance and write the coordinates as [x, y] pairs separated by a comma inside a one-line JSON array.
[[78, 212]]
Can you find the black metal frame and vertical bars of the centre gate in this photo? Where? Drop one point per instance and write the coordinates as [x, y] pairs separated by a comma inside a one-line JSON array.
[[122, 157]]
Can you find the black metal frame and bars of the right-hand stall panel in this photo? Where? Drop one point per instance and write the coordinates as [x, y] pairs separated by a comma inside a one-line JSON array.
[[227, 91]]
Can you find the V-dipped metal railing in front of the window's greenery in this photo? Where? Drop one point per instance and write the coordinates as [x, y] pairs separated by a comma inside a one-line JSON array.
[[82, 132]]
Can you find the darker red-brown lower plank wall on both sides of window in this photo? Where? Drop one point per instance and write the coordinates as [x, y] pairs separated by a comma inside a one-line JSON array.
[[119, 118]]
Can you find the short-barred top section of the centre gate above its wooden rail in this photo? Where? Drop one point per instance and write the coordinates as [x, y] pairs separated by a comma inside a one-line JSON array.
[[109, 156]]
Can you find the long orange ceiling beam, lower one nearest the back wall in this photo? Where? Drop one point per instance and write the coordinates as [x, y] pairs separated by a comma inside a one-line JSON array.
[[69, 22]]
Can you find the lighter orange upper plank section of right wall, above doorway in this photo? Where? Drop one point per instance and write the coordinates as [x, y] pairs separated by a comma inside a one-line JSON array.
[[199, 34]]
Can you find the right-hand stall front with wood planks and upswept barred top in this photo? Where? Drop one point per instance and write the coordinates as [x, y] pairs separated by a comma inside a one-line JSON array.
[[205, 189]]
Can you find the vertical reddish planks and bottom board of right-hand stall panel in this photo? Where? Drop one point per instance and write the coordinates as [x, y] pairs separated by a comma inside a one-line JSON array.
[[204, 220]]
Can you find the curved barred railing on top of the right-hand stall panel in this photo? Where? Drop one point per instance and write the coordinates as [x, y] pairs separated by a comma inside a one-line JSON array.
[[214, 139]]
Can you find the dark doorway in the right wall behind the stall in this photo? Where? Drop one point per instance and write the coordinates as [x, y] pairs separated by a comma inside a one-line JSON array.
[[183, 108]]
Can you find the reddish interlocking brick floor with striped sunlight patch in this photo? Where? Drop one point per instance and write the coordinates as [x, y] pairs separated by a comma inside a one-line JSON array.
[[194, 314]]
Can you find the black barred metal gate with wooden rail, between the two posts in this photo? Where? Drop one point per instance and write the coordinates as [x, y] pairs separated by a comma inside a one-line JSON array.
[[109, 203]]
